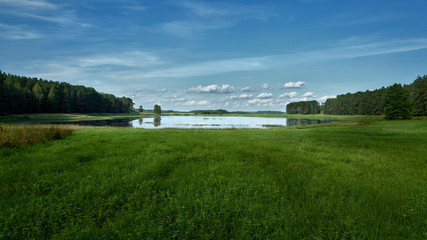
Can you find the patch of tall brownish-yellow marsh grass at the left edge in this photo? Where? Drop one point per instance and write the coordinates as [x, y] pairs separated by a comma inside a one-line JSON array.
[[12, 135]]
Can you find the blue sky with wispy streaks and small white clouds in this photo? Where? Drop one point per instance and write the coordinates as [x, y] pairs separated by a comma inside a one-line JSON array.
[[236, 55]]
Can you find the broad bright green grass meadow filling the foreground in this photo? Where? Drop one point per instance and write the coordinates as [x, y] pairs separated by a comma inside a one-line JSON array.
[[360, 181]]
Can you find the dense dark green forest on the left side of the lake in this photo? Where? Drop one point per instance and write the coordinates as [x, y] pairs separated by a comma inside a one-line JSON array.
[[31, 95]]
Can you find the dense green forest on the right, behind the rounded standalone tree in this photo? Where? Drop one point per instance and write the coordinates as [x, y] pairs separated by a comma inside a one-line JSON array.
[[373, 102]]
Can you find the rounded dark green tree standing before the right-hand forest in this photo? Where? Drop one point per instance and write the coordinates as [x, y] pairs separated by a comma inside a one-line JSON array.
[[396, 103]]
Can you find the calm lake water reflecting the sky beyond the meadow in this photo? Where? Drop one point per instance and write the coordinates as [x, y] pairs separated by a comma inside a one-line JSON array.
[[202, 122]]
